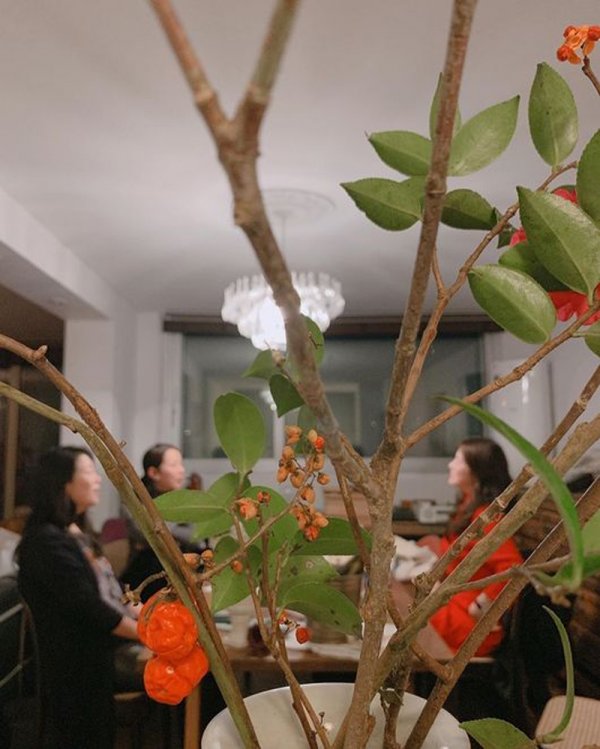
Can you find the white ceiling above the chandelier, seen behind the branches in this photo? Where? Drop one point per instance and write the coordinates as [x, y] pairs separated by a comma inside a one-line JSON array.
[[100, 142]]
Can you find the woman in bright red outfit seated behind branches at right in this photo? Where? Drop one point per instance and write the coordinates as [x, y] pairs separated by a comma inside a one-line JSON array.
[[479, 471]]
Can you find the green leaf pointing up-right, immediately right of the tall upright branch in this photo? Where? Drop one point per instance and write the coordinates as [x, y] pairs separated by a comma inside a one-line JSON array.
[[483, 138]]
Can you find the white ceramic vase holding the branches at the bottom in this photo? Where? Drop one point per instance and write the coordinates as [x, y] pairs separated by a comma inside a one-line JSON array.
[[277, 726]]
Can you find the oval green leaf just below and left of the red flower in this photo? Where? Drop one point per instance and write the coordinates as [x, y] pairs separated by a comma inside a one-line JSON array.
[[513, 300]]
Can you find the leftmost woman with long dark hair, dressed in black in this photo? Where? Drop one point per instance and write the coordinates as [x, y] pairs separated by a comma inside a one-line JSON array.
[[75, 626]]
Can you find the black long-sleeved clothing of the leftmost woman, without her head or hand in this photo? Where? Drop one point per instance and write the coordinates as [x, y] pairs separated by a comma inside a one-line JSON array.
[[73, 626]]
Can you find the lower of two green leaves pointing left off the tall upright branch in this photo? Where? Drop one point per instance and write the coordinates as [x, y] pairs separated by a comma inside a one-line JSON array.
[[391, 205]]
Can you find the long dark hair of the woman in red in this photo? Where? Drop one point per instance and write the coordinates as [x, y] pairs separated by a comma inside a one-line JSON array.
[[487, 462]]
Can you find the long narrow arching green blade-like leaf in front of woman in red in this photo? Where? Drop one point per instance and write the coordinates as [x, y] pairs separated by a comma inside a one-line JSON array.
[[547, 475]]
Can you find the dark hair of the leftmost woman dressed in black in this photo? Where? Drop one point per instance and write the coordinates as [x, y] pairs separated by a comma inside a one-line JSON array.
[[50, 502]]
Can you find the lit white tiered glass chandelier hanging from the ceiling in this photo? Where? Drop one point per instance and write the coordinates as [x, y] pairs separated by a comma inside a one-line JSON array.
[[249, 304]]
